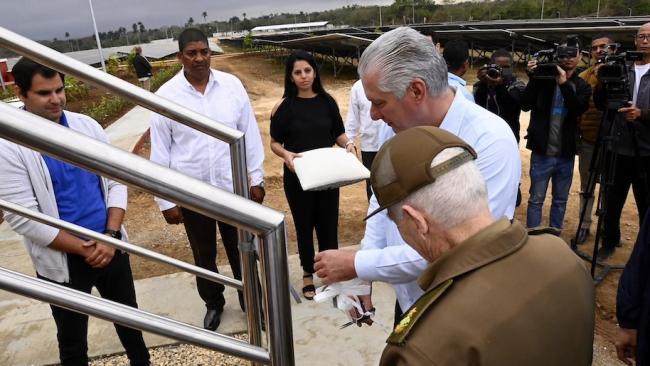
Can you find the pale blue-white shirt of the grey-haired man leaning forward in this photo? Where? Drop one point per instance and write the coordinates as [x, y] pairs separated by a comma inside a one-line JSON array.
[[384, 256]]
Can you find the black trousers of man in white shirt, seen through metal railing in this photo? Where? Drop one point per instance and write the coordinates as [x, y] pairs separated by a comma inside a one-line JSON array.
[[202, 235]]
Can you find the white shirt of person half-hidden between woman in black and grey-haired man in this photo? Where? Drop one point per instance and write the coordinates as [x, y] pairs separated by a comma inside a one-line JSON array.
[[359, 122]]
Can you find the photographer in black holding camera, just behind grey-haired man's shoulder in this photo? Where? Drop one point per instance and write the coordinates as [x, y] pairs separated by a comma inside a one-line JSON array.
[[498, 89]]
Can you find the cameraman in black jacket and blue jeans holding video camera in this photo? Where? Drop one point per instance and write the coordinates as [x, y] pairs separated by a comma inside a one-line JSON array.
[[556, 97]]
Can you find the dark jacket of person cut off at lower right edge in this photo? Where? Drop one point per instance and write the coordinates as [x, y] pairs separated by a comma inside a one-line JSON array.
[[633, 297]]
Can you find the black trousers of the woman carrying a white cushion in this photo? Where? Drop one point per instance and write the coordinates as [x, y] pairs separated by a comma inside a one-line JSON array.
[[312, 210]]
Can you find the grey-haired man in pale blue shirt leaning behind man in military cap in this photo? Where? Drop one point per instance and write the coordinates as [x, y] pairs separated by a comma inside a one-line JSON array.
[[405, 79]]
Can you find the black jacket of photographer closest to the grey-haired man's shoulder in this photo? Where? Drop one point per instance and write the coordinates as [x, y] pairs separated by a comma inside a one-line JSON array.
[[508, 101]]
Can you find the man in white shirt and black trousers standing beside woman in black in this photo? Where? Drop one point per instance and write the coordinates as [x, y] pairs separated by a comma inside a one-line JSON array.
[[221, 97]]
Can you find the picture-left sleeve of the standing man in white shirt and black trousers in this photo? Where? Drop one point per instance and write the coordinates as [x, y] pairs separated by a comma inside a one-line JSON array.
[[161, 142]]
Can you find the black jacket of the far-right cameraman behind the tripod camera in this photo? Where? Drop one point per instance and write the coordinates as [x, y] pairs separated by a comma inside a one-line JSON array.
[[627, 134]]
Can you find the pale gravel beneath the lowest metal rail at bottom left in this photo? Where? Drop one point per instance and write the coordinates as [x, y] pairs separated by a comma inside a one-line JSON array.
[[182, 354]]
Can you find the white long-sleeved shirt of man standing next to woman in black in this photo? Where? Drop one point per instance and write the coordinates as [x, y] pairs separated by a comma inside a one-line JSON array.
[[196, 154]]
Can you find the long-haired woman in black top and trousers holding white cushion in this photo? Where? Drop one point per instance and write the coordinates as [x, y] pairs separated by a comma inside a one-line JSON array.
[[307, 118]]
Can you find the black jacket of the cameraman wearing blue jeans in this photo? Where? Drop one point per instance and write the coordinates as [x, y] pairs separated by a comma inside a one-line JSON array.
[[538, 97]]
